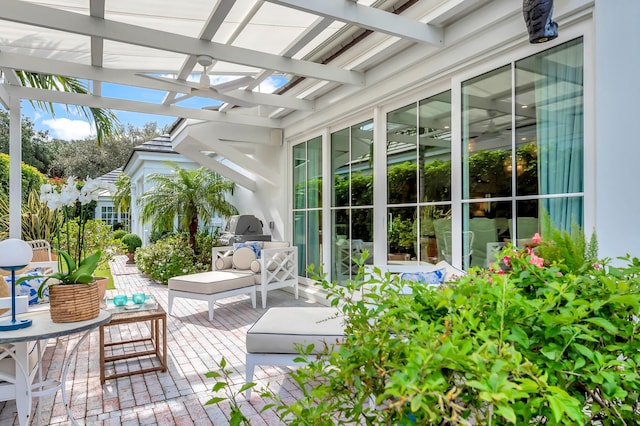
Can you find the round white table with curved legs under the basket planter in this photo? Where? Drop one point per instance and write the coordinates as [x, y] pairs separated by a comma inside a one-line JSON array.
[[16, 344]]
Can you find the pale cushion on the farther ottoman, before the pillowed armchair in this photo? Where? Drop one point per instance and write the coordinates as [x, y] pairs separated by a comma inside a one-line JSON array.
[[211, 282]]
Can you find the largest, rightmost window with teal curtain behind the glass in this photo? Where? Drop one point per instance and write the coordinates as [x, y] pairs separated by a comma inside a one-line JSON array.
[[522, 150]]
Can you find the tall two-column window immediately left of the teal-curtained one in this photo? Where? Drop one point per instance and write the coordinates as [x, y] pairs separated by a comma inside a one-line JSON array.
[[419, 180]]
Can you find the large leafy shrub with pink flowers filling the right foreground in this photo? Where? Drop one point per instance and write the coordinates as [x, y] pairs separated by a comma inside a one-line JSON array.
[[532, 345]]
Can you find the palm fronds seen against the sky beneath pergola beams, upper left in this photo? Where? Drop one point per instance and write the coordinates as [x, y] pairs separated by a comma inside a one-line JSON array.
[[107, 123]]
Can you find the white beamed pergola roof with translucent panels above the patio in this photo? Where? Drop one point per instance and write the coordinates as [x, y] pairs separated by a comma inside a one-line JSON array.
[[327, 50]]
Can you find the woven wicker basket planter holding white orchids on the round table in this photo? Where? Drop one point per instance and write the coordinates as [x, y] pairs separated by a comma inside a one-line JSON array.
[[74, 302]]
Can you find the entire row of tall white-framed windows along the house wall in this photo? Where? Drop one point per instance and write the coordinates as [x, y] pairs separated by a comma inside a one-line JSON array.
[[519, 162]]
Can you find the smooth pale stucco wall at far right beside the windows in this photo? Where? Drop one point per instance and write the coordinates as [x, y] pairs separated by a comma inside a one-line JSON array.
[[617, 152]]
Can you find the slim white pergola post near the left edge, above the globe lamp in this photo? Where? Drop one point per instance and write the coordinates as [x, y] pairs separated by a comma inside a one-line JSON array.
[[15, 171]]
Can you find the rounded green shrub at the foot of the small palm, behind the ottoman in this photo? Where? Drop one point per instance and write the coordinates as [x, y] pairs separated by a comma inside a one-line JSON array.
[[168, 258]]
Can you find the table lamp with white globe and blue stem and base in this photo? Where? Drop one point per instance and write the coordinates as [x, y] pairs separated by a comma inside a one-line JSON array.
[[14, 254]]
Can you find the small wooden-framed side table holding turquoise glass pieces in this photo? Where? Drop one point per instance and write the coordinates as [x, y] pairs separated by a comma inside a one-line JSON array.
[[157, 340]]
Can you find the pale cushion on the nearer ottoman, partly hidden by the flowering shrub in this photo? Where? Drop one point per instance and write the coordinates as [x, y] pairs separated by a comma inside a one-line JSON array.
[[280, 330]]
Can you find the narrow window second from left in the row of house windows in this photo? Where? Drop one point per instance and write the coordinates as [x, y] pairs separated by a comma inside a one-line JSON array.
[[351, 197]]
